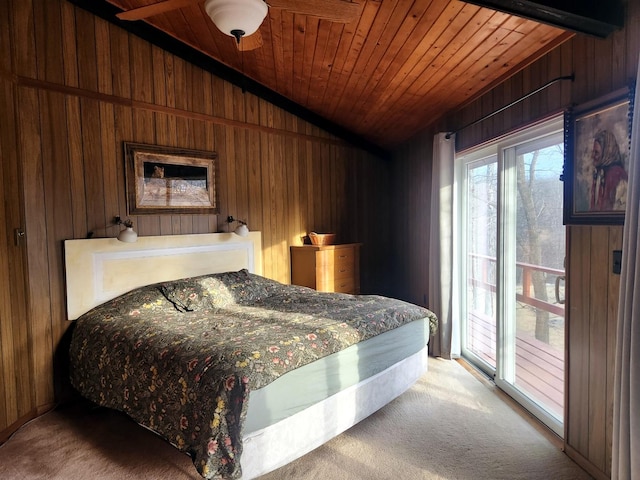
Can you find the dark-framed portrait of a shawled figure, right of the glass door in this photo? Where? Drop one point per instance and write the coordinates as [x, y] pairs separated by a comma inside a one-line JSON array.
[[597, 156]]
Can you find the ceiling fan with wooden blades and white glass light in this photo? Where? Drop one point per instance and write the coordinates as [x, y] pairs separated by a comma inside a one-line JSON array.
[[241, 19]]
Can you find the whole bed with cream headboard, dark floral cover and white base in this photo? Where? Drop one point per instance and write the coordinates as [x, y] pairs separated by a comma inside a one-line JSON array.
[[242, 373]]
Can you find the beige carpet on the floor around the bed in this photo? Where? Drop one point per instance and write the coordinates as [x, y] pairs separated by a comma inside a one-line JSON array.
[[448, 426]]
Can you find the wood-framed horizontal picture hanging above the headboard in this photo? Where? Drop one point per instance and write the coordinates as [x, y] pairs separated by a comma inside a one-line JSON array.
[[166, 180]]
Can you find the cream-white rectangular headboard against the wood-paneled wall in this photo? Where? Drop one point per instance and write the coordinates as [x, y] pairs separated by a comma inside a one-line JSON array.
[[100, 269]]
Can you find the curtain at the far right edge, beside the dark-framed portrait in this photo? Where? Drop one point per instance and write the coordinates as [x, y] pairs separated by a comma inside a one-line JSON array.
[[626, 406]]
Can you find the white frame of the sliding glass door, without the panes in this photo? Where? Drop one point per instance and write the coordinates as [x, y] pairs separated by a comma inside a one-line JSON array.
[[505, 149]]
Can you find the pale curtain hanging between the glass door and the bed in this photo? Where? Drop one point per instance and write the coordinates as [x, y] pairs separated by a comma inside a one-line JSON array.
[[442, 271]]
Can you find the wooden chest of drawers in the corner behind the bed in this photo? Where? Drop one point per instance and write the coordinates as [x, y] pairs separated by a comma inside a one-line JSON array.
[[327, 268]]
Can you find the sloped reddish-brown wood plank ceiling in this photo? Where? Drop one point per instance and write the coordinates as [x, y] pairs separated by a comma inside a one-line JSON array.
[[400, 66]]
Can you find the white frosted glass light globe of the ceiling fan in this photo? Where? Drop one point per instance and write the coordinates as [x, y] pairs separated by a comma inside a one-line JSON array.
[[230, 15]]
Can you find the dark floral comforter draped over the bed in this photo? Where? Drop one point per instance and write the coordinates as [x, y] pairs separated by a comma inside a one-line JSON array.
[[180, 357]]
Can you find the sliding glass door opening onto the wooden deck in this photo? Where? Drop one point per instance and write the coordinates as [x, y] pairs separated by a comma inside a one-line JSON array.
[[512, 257]]
